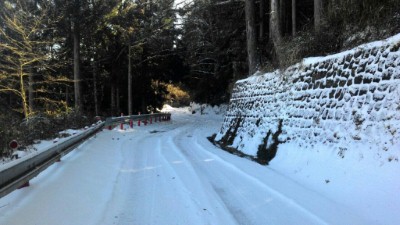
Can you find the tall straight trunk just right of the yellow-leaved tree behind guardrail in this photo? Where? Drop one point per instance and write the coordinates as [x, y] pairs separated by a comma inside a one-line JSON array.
[[77, 75]]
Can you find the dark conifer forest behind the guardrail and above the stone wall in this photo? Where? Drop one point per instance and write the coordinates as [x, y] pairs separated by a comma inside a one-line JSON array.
[[63, 62]]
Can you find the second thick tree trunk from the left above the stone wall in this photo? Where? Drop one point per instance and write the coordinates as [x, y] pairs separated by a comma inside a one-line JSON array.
[[274, 28]]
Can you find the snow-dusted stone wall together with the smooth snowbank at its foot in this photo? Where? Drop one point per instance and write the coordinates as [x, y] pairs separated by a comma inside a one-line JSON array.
[[340, 132]]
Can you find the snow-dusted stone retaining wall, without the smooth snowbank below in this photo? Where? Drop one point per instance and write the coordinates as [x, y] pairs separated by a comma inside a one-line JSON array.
[[346, 101]]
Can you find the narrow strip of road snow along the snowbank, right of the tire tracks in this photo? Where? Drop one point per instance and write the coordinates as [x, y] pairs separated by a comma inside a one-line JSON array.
[[309, 202]]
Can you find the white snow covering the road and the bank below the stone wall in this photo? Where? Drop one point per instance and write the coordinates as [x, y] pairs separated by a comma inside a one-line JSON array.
[[169, 173]]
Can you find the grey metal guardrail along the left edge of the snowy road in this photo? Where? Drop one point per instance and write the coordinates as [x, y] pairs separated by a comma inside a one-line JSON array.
[[19, 172]]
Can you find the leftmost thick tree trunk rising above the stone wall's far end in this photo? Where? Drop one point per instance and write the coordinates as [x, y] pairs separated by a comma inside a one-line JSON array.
[[251, 36]]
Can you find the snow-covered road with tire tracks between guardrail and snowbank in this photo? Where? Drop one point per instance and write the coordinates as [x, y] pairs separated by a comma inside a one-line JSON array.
[[167, 173]]
